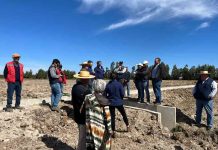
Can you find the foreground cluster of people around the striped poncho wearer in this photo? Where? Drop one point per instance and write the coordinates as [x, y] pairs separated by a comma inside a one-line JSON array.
[[94, 101]]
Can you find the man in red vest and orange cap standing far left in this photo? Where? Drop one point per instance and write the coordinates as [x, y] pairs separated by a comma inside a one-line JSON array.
[[14, 75]]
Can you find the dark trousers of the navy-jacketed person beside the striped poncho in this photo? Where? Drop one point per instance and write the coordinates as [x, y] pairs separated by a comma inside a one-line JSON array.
[[113, 115]]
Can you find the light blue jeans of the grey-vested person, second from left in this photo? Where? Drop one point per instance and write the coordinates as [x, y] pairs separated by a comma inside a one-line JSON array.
[[55, 94]]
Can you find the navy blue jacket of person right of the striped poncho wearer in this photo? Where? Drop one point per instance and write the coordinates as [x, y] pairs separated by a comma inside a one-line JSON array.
[[114, 92]]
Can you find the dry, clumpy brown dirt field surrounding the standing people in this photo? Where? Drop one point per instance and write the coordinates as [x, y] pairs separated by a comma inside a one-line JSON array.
[[36, 127]]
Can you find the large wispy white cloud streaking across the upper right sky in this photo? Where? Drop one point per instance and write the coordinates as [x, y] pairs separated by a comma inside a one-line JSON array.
[[141, 11]]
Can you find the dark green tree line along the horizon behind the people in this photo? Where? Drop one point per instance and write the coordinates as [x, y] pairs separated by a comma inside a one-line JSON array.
[[184, 73]]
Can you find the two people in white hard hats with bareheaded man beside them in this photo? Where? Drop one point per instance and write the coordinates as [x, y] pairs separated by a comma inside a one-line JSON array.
[[143, 74]]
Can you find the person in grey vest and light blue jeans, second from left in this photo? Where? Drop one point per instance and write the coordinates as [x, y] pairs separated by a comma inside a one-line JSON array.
[[54, 84]]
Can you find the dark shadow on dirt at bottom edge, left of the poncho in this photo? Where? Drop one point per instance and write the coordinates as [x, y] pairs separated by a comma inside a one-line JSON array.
[[55, 143]]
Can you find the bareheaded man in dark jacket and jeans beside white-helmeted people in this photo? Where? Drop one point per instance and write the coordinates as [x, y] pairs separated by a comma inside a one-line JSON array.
[[158, 72]]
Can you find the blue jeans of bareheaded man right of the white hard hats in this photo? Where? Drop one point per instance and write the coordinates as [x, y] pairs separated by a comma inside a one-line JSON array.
[[157, 89]]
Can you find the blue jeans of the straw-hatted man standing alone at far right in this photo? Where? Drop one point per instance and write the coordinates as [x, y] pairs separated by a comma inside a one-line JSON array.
[[208, 106]]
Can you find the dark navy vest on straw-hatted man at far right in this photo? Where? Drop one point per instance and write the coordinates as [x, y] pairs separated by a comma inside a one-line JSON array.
[[203, 90]]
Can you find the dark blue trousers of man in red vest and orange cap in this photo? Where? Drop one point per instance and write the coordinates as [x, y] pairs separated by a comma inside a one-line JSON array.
[[17, 87]]
